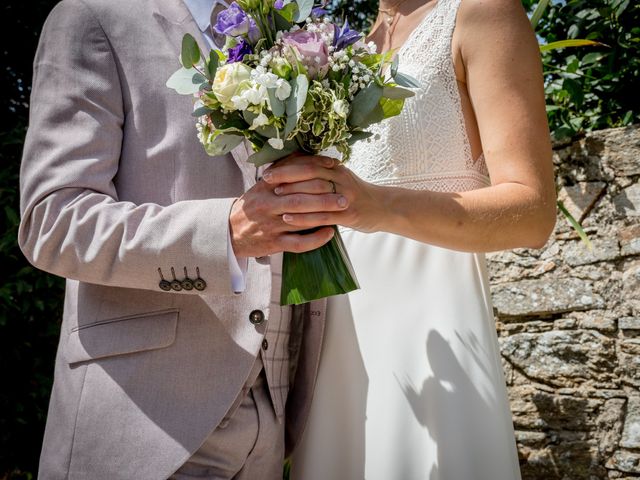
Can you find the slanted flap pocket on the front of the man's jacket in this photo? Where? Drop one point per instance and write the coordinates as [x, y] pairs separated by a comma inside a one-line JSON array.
[[118, 336]]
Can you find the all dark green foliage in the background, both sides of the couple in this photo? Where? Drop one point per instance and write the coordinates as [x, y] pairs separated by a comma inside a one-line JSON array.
[[587, 88]]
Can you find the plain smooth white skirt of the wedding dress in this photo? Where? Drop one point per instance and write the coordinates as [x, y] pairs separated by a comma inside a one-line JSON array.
[[410, 384]]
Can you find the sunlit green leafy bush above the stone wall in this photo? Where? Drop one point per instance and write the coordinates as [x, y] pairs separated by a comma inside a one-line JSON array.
[[590, 88]]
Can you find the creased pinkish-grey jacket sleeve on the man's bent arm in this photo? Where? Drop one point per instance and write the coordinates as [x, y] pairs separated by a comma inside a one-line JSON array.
[[72, 222]]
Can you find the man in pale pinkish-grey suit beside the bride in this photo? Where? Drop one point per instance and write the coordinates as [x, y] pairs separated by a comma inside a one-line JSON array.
[[175, 359]]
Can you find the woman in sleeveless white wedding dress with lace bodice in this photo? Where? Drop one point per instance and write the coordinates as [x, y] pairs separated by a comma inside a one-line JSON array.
[[410, 383]]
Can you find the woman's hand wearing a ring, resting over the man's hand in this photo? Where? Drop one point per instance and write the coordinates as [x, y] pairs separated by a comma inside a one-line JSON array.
[[365, 212]]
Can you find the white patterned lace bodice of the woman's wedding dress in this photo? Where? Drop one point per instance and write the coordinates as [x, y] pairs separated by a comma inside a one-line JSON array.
[[426, 146]]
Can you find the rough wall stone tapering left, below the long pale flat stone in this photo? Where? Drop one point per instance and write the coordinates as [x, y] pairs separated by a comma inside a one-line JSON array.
[[562, 358]]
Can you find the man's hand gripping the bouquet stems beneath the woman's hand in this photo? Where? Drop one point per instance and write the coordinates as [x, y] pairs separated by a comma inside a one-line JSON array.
[[256, 220]]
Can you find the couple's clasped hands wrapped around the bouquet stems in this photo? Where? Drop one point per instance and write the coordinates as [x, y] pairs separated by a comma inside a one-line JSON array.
[[301, 192]]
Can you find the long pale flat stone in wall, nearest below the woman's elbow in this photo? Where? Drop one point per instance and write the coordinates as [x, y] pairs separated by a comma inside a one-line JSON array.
[[544, 296]]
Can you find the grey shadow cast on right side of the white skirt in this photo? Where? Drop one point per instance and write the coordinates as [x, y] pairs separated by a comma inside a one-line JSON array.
[[468, 429]]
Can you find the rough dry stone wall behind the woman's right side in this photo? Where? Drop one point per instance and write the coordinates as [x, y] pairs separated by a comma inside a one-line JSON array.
[[569, 320]]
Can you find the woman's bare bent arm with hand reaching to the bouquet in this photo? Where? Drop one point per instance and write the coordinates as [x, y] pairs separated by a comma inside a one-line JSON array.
[[497, 54]]
